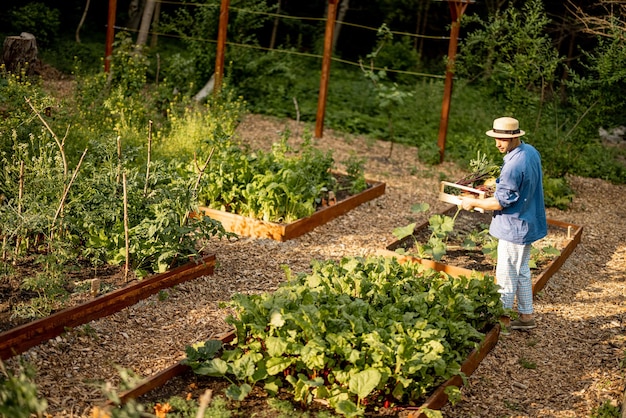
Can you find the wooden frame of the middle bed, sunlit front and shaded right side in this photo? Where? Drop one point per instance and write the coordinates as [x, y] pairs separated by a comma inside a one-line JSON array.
[[256, 228]]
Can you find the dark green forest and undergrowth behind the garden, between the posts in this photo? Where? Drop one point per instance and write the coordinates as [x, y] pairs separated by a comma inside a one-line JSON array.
[[556, 66]]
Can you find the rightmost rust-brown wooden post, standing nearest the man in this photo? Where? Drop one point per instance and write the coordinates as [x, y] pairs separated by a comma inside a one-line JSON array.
[[457, 9]]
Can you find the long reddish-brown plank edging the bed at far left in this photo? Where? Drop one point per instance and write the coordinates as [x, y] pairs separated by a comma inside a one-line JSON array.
[[19, 339]]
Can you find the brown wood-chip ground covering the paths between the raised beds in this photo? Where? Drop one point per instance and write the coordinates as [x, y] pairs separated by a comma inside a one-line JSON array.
[[569, 366]]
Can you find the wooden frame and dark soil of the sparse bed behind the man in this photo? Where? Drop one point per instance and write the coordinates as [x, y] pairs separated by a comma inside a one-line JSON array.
[[459, 261]]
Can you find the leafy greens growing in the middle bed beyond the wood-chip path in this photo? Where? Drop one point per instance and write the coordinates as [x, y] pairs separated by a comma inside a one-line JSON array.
[[283, 185]]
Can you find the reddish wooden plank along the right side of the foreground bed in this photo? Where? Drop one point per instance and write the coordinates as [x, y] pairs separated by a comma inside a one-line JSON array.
[[439, 398]]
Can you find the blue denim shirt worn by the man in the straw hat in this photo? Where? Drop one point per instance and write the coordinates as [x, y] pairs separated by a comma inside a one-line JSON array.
[[519, 190]]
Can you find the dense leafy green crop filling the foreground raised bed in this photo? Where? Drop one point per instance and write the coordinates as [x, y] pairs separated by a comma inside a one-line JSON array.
[[353, 331]]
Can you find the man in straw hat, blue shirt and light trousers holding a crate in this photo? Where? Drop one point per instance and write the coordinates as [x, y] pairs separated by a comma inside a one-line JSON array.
[[519, 217]]
